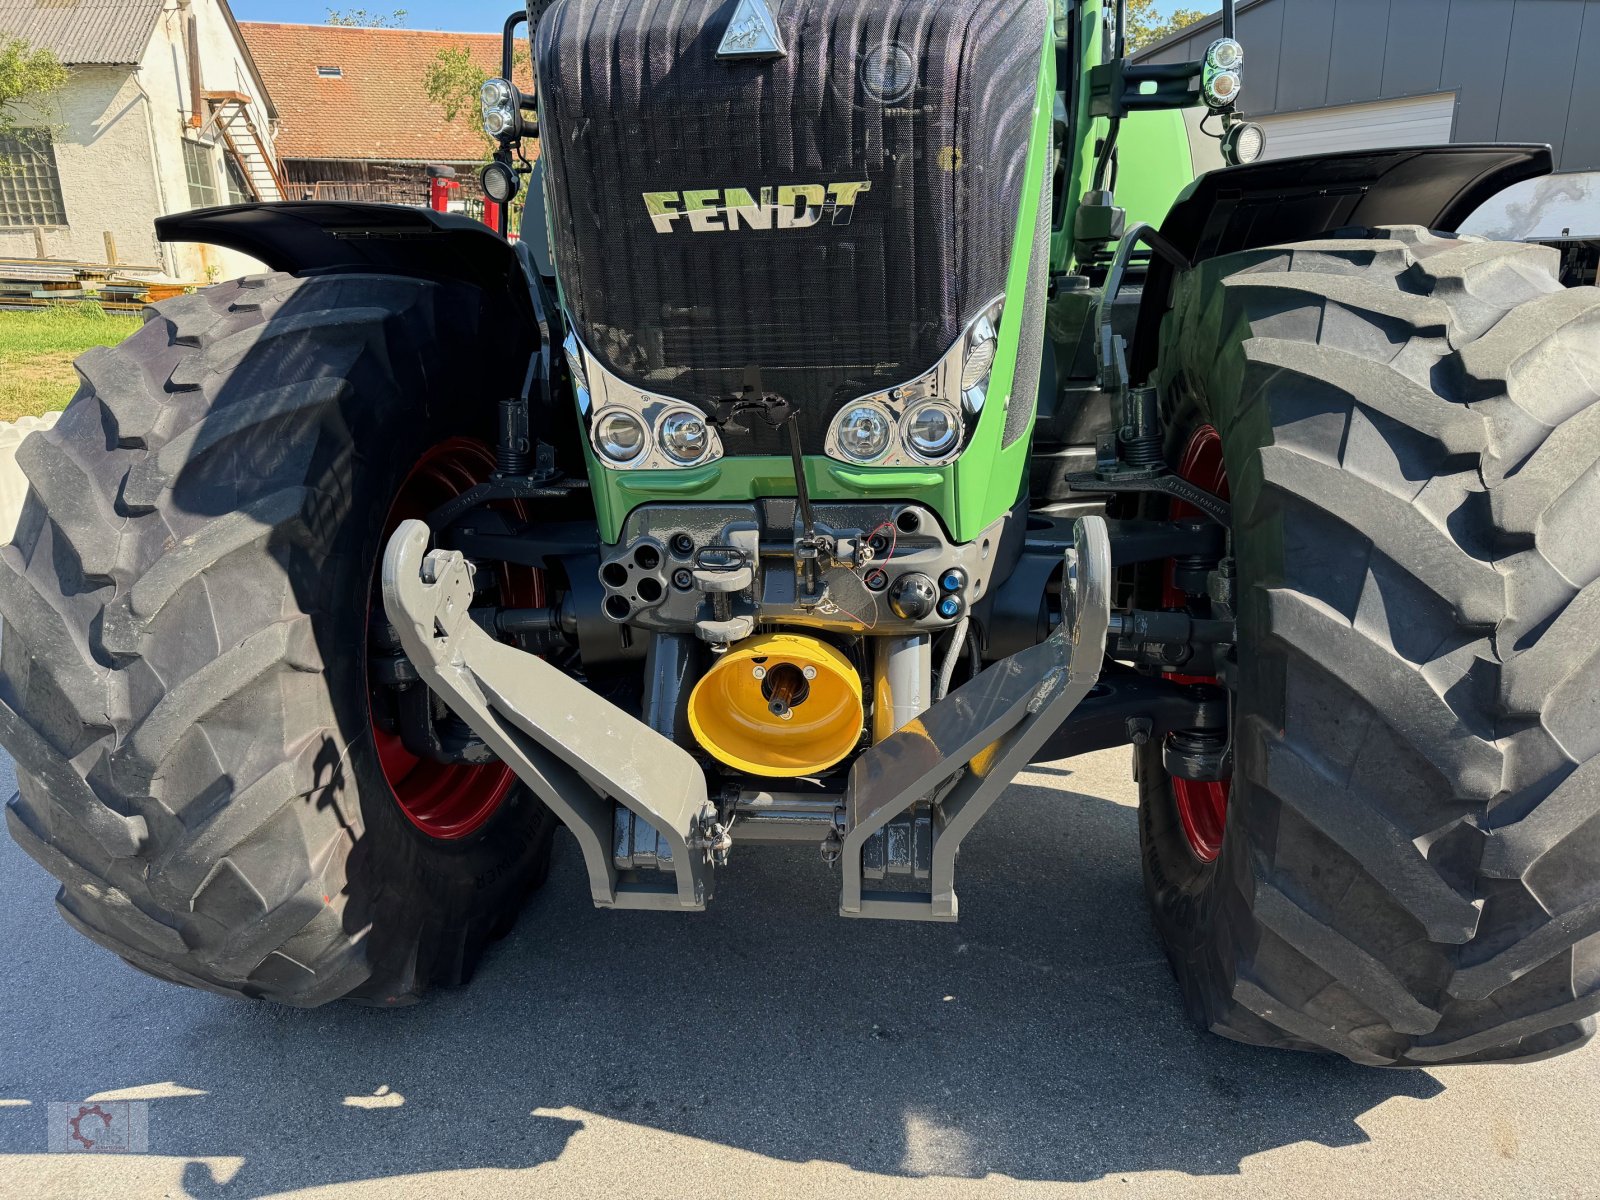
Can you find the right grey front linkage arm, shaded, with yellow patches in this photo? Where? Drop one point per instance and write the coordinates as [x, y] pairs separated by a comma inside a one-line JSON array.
[[966, 750]]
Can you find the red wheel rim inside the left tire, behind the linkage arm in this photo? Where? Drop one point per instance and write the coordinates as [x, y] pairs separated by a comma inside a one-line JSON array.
[[447, 801]]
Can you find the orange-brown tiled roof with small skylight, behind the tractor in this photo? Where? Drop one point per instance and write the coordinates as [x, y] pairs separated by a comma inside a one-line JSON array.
[[375, 108]]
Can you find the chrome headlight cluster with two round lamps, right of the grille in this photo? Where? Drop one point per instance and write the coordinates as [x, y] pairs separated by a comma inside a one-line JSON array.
[[927, 422]]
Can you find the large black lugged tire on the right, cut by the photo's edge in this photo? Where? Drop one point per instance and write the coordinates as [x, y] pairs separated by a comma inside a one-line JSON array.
[[1410, 873]]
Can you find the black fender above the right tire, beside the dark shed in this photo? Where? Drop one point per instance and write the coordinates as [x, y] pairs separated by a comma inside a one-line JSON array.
[[1298, 199]]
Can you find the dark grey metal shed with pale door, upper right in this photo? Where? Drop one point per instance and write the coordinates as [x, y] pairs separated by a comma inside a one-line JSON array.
[[1348, 74]]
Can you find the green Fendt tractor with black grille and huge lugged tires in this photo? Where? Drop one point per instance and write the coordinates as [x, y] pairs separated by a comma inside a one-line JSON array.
[[873, 404]]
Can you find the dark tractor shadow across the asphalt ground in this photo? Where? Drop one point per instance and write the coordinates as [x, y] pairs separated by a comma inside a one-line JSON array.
[[1042, 1038]]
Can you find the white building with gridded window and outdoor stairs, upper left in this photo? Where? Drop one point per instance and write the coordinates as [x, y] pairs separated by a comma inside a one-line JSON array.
[[164, 111]]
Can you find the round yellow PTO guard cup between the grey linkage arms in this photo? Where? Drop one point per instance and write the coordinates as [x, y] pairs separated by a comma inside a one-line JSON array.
[[740, 716]]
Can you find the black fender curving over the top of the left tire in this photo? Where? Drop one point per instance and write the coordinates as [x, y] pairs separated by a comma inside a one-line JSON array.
[[308, 238]]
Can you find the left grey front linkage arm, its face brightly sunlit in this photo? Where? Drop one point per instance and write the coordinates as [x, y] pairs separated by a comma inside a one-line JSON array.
[[577, 751]]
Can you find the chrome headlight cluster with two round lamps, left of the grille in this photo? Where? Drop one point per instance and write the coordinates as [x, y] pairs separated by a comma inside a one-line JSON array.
[[633, 430]]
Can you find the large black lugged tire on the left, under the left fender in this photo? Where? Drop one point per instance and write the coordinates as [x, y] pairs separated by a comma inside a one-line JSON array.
[[183, 666]]
